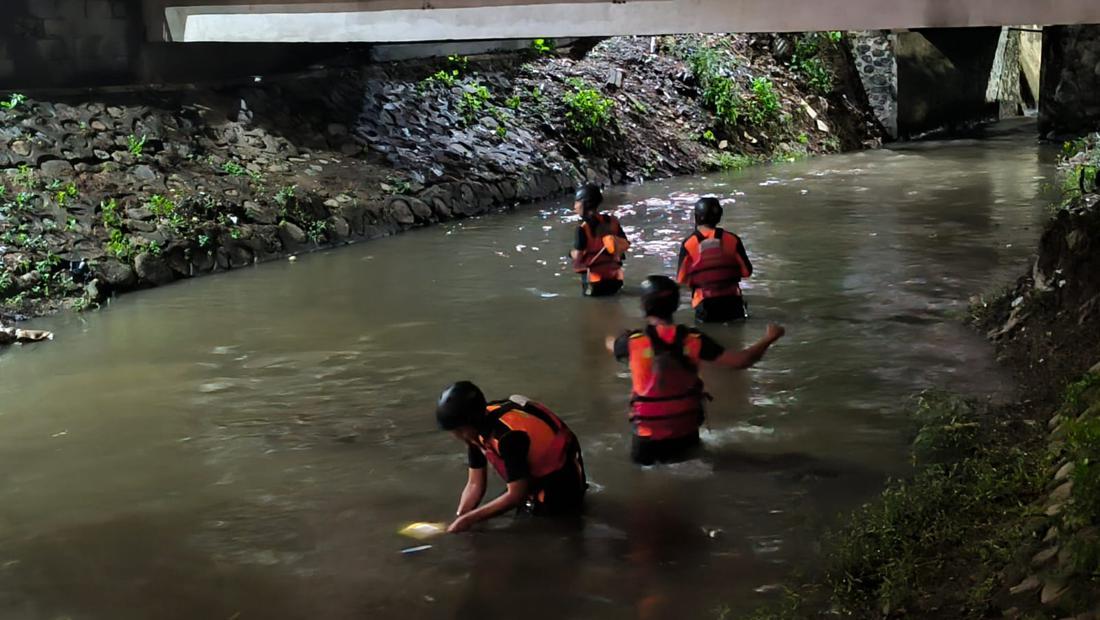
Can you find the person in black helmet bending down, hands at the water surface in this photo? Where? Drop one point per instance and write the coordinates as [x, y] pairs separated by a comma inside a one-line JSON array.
[[530, 447]]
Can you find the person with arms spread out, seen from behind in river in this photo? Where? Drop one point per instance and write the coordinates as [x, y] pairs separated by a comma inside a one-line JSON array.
[[667, 402]]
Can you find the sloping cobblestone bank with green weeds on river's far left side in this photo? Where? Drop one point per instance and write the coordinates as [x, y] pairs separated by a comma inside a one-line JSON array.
[[107, 194]]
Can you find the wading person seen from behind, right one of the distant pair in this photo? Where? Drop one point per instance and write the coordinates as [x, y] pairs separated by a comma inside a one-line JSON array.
[[713, 262]]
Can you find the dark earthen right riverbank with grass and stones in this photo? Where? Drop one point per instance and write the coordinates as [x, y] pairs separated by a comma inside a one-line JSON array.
[[1003, 516]]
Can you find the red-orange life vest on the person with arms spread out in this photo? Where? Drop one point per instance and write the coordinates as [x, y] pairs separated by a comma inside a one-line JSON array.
[[668, 395]]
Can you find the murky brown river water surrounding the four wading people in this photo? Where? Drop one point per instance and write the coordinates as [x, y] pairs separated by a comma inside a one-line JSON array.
[[247, 447]]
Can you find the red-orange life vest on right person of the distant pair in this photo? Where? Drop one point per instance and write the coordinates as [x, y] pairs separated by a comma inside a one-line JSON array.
[[713, 267]]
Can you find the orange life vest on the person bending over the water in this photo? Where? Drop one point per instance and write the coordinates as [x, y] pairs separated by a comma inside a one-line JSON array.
[[549, 437]]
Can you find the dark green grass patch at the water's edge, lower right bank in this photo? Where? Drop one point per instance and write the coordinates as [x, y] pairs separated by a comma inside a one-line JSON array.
[[936, 544]]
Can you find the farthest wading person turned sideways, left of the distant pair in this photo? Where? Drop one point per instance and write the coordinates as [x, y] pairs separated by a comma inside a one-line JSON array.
[[600, 246]]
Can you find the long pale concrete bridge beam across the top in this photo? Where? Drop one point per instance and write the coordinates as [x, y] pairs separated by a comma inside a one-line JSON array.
[[457, 20]]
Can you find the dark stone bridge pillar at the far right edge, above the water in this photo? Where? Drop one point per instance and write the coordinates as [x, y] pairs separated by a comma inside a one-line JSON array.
[[1071, 84]]
